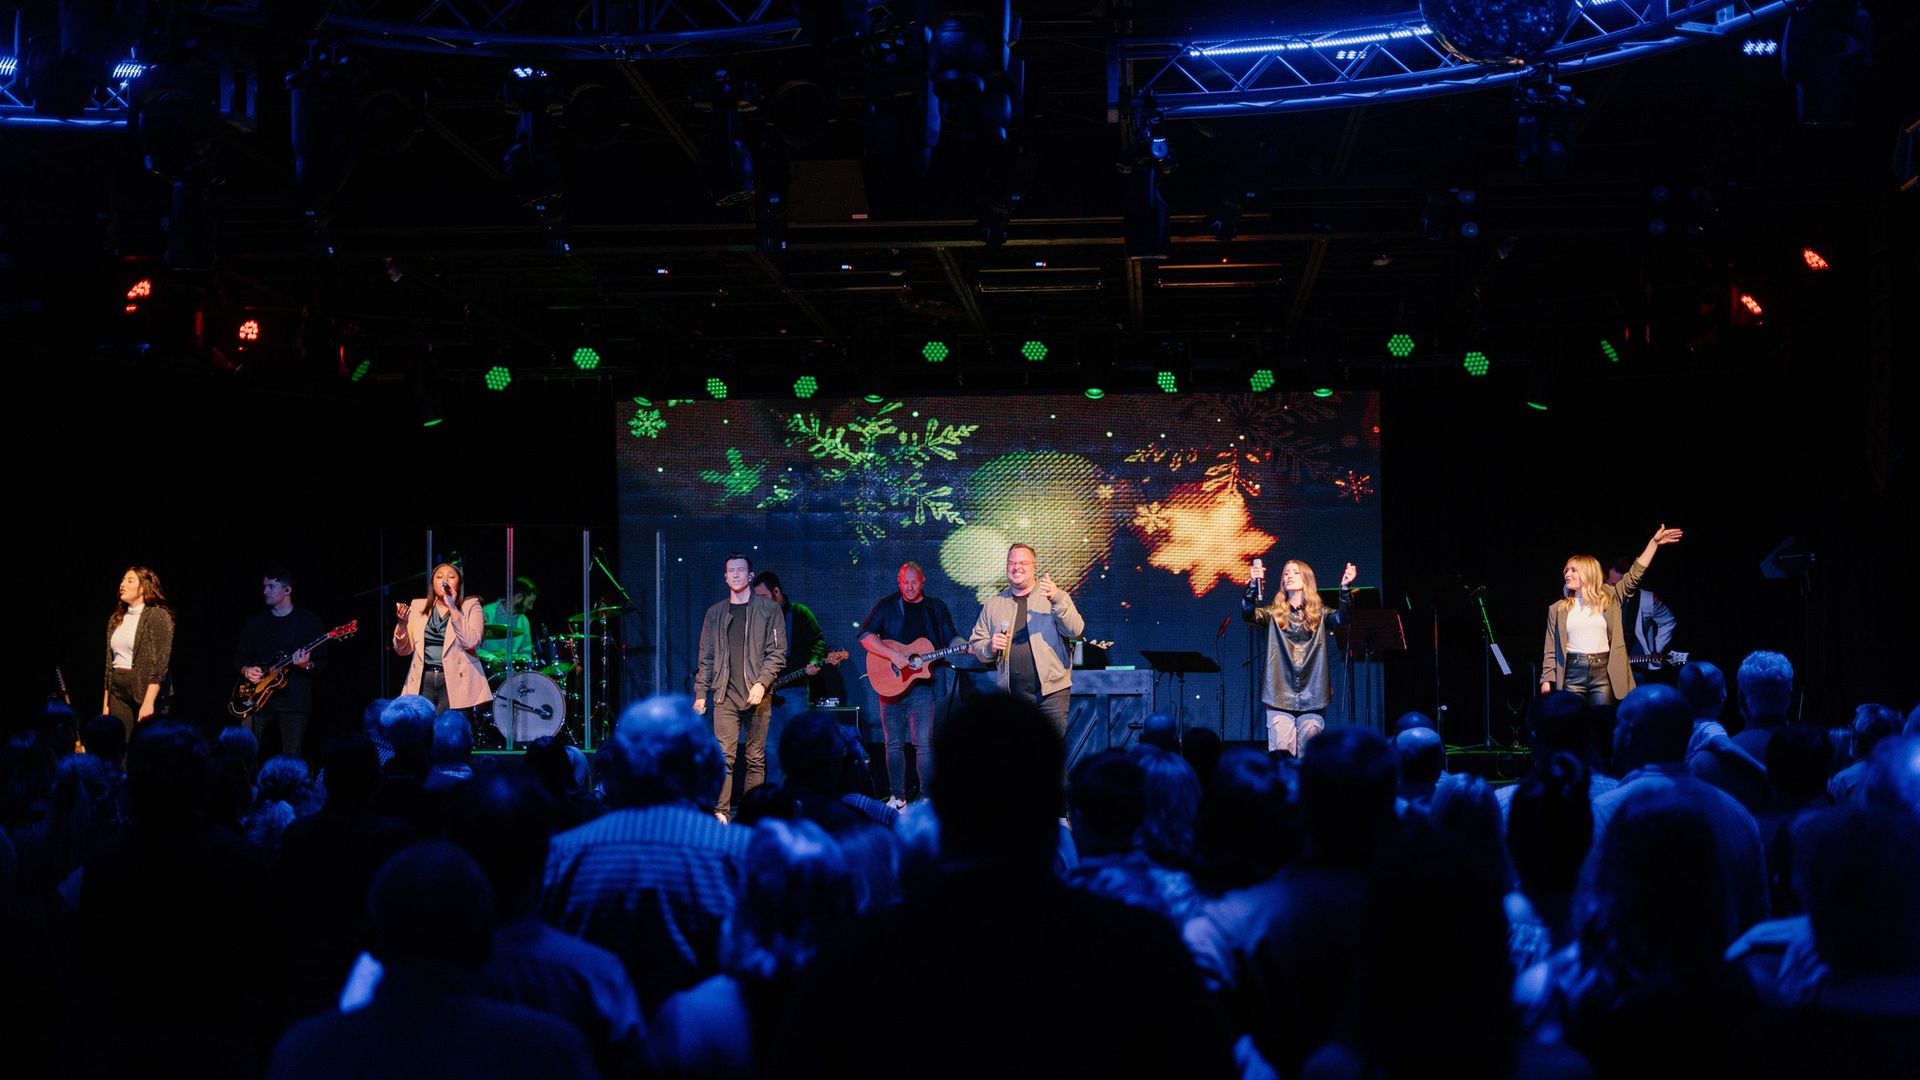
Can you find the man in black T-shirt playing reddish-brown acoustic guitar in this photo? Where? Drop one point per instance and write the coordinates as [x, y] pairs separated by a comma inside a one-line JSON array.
[[900, 620]]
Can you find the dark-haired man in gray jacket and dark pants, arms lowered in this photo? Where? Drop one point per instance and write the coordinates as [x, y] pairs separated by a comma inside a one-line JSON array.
[[744, 645]]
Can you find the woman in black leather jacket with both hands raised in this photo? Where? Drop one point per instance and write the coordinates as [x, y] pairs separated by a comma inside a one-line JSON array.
[[1299, 683]]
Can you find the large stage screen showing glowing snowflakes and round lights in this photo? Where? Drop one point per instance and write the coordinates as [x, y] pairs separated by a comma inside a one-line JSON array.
[[1147, 510]]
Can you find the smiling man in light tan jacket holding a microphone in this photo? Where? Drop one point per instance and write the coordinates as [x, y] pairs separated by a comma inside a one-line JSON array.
[[1024, 631]]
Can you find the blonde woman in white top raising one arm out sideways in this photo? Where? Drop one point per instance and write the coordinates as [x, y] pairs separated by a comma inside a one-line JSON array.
[[1587, 649]]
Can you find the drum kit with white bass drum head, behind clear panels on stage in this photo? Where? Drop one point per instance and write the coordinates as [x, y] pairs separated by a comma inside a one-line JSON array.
[[542, 683]]
